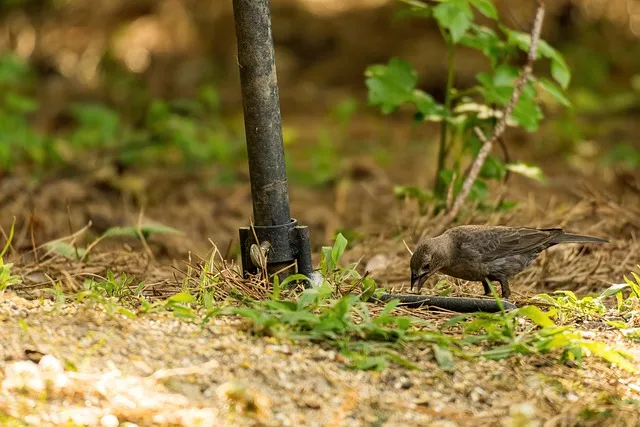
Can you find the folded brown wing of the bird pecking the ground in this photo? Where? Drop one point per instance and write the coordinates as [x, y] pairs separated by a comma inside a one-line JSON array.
[[494, 243]]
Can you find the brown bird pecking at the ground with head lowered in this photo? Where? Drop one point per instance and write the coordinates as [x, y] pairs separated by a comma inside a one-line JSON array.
[[482, 252]]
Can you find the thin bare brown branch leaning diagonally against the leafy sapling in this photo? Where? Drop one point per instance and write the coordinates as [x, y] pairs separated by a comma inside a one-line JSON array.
[[508, 111]]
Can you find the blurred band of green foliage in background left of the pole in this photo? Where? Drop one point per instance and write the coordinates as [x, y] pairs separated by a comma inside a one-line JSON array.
[[181, 133]]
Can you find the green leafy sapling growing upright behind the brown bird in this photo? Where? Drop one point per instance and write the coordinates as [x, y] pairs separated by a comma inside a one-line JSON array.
[[395, 84]]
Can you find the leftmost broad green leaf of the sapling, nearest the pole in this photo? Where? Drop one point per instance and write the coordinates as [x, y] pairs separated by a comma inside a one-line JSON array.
[[391, 85]]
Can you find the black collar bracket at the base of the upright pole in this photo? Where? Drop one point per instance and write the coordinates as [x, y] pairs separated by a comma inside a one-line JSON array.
[[289, 243]]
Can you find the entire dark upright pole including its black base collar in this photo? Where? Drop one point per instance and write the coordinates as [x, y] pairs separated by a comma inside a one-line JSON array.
[[288, 242]]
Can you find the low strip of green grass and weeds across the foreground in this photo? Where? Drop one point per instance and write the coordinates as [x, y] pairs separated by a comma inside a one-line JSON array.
[[338, 313]]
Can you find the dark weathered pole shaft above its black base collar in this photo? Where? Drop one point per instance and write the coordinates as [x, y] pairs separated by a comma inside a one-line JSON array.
[[261, 105]]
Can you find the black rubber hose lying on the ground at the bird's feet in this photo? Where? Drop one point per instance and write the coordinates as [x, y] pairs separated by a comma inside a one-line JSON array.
[[460, 305]]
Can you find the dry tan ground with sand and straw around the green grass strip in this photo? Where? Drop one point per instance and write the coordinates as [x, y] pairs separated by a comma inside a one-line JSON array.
[[98, 368]]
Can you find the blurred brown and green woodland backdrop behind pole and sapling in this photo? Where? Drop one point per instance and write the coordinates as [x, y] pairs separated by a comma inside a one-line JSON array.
[[110, 107]]
